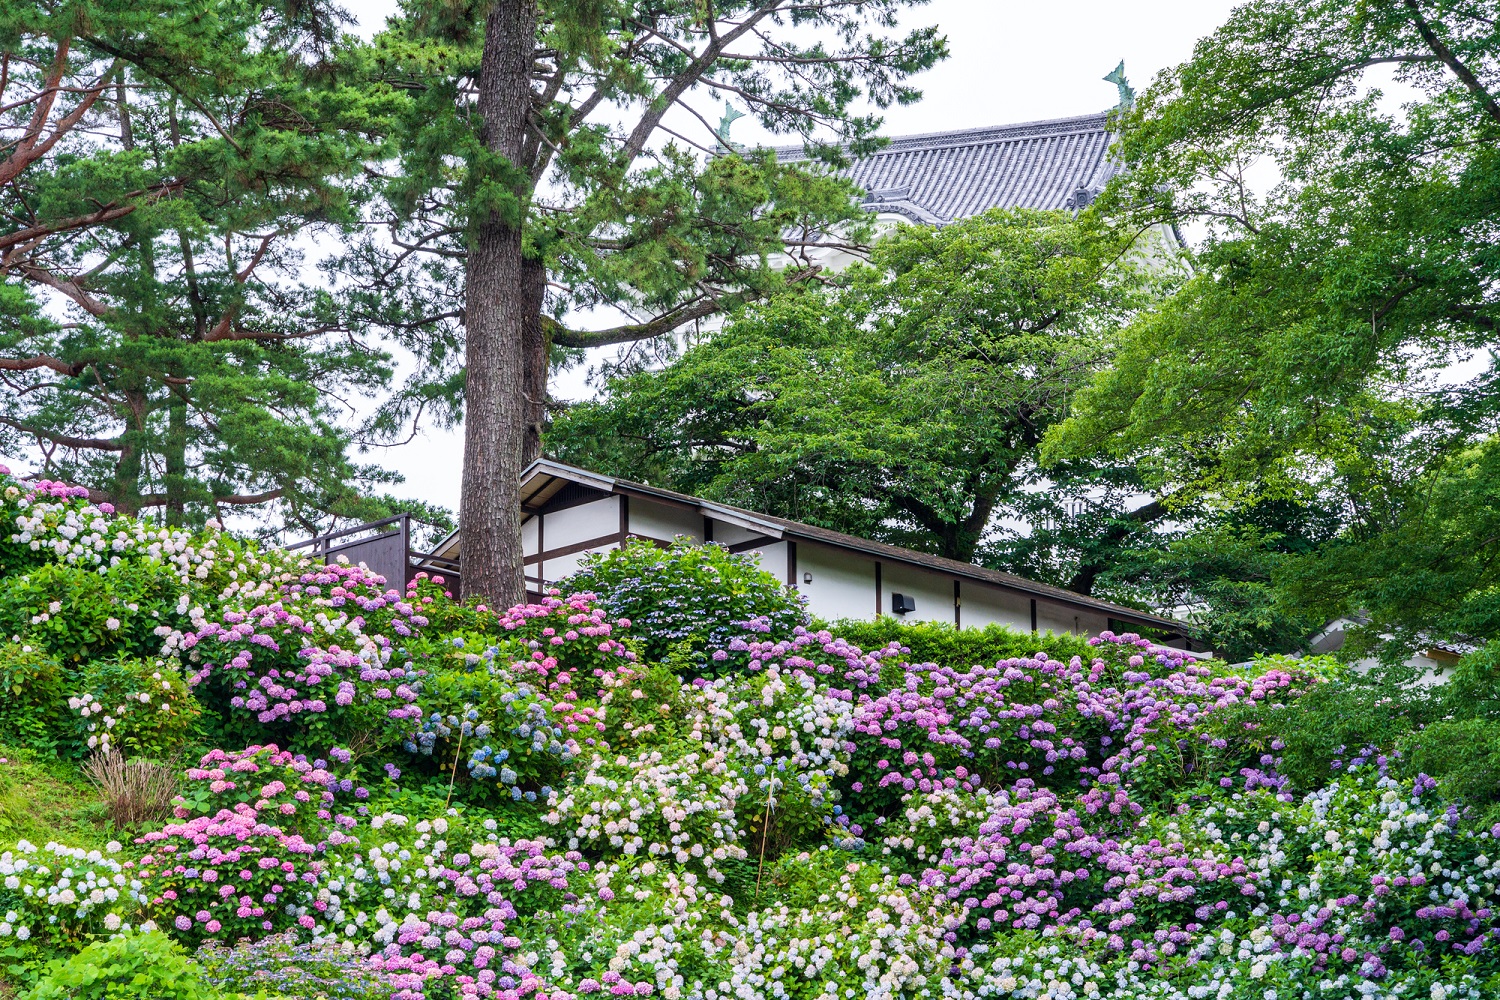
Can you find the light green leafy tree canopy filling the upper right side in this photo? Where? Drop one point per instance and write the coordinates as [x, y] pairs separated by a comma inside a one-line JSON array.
[[1312, 356]]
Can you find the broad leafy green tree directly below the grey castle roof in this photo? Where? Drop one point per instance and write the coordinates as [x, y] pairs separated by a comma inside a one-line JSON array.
[[904, 406]]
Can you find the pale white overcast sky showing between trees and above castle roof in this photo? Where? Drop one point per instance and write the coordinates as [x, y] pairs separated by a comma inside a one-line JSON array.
[[1010, 62]]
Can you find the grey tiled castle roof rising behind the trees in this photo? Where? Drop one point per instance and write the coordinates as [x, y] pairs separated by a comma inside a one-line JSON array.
[[947, 176]]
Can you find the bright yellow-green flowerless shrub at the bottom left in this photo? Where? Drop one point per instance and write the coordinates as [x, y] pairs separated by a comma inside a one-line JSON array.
[[127, 968]]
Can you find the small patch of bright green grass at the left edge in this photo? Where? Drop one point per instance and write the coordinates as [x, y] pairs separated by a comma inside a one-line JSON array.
[[44, 800]]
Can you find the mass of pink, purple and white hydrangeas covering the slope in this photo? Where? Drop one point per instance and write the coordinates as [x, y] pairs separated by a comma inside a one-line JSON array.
[[419, 800]]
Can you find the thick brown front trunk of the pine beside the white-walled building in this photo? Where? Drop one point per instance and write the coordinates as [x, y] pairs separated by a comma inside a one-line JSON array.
[[496, 326]]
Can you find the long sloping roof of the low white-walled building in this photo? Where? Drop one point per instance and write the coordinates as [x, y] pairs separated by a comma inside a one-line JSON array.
[[545, 479]]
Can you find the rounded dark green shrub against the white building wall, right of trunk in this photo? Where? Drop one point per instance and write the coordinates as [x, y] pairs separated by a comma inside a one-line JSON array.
[[688, 599]]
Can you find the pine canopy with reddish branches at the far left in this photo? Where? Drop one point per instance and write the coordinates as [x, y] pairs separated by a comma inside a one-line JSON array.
[[161, 167]]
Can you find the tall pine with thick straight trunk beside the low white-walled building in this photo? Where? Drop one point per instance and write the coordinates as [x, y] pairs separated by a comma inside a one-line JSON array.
[[542, 172]]
